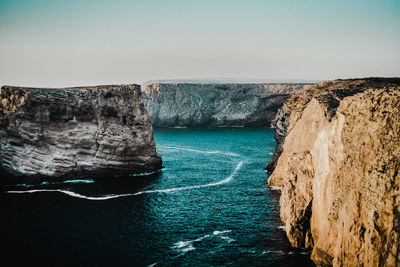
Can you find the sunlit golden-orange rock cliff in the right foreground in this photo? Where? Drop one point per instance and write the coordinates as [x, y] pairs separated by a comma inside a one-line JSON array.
[[339, 169]]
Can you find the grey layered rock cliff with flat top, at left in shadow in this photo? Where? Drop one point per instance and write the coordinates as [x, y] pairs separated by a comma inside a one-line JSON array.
[[62, 133]]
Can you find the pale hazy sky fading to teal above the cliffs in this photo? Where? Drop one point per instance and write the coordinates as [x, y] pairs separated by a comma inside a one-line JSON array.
[[55, 43]]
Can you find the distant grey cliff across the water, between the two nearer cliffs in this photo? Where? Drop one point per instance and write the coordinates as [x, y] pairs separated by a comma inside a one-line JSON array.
[[186, 104]]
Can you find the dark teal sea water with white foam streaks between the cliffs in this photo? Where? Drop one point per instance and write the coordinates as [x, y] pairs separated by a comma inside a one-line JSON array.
[[210, 206]]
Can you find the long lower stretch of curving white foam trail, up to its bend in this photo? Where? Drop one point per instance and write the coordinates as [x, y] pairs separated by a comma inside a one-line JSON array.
[[106, 197]]
